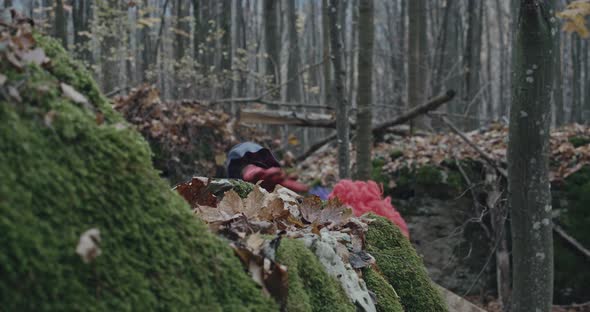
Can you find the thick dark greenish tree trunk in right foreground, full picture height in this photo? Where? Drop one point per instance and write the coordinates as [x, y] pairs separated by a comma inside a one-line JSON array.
[[528, 163]]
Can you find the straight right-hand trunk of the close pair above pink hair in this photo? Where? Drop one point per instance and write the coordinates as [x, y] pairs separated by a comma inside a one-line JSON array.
[[364, 93]]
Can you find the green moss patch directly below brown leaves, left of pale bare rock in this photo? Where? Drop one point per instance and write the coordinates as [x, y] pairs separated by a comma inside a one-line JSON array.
[[310, 287]]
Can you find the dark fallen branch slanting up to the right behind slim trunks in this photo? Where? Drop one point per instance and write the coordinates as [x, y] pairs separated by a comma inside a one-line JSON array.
[[380, 128]]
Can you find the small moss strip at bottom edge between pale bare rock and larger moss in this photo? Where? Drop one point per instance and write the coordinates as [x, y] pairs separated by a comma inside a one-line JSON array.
[[387, 298]]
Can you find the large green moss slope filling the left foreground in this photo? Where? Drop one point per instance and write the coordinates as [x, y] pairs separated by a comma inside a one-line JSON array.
[[63, 176]]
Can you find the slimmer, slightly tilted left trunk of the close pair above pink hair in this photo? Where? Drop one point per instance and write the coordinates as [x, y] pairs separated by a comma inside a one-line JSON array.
[[342, 125]]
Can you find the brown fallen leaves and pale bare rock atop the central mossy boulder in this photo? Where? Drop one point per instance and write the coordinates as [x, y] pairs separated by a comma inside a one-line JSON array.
[[255, 225]]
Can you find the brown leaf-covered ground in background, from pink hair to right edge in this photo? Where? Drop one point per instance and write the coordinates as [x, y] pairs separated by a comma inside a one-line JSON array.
[[569, 146]]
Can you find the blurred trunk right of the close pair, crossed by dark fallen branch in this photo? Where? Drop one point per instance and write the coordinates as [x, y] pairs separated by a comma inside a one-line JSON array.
[[417, 92]]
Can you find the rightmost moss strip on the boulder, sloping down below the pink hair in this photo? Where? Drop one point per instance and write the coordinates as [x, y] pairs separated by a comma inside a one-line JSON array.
[[402, 267]]
